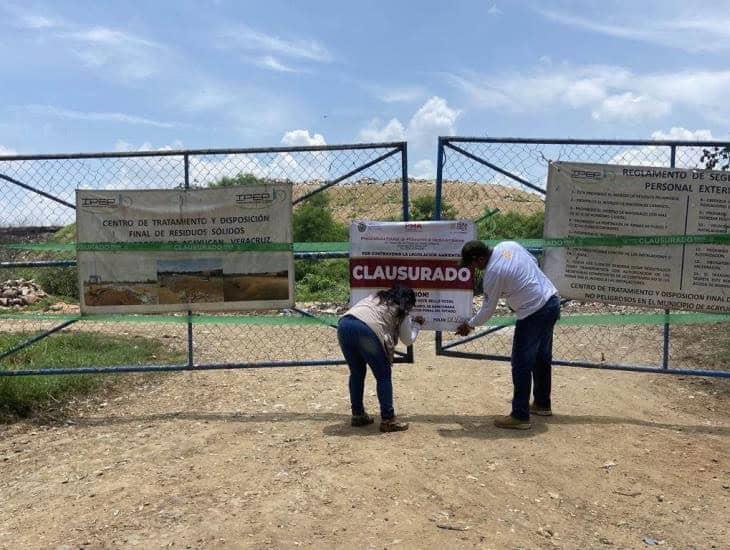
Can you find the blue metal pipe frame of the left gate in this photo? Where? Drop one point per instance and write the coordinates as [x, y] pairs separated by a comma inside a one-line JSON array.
[[398, 147]]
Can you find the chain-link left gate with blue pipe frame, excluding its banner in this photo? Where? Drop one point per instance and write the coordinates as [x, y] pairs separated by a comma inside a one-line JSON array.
[[37, 198]]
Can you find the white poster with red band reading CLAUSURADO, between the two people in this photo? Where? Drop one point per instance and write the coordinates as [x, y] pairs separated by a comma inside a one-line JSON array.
[[422, 255]]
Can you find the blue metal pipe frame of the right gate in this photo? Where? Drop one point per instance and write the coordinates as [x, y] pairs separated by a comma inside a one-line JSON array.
[[448, 142]]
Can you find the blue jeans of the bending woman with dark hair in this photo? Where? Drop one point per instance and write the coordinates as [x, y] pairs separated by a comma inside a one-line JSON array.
[[361, 347]]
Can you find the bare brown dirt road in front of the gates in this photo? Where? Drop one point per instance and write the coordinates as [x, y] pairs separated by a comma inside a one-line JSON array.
[[265, 459]]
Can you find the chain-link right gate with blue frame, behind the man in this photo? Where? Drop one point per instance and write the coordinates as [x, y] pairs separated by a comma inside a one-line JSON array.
[[489, 180]]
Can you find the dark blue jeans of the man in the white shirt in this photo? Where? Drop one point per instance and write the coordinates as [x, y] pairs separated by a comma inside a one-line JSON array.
[[532, 357]]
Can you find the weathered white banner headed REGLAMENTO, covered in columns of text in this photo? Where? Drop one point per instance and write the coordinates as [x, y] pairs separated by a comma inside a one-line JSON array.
[[681, 215]]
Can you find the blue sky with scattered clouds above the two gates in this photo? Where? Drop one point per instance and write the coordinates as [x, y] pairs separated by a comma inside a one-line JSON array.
[[105, 76]]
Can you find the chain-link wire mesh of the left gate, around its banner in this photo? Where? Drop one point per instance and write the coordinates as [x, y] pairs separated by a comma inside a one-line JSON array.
[[343, 183]]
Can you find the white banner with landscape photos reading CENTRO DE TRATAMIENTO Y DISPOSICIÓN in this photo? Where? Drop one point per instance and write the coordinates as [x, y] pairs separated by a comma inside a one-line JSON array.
[[152, 251]]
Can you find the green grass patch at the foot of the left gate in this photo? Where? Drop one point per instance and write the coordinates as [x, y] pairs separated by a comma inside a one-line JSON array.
[[24, 395]]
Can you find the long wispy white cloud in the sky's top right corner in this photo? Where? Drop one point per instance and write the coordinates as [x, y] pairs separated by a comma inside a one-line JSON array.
[[686, 31]]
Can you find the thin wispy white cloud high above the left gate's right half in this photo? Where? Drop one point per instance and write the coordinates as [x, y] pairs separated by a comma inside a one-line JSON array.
[[249, 40]]
